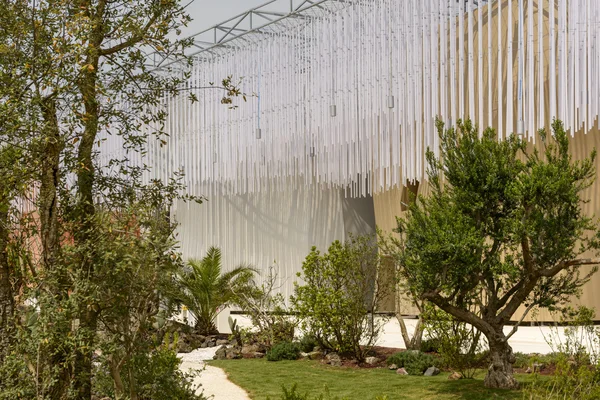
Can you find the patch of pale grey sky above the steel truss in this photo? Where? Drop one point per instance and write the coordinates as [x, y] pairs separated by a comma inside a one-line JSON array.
[[206, 13]]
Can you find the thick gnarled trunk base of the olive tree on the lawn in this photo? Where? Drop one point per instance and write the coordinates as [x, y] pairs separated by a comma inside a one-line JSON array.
[[500, 372]]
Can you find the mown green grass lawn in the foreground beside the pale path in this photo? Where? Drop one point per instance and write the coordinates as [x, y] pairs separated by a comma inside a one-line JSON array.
[[263, 378]]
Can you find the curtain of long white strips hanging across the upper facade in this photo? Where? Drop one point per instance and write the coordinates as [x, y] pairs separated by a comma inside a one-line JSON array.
[[345, 93]]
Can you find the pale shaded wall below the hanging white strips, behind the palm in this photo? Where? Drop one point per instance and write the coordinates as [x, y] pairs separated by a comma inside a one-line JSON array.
[[276, 228]]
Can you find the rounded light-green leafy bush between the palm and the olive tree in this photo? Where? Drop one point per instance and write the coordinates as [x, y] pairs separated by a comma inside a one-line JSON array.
[[339, 295]]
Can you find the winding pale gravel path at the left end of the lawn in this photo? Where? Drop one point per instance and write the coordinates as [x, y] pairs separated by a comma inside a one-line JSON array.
[[214, 381]]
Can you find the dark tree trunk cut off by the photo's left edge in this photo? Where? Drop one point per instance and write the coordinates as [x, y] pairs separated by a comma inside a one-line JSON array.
[[6, 295]]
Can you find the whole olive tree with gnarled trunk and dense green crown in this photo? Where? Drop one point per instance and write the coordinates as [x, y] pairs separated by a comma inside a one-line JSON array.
[[503, 228]]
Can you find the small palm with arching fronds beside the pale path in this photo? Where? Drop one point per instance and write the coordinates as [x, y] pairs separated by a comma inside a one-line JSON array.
[[205, 289]]
